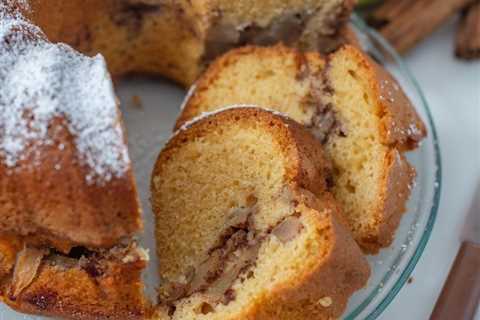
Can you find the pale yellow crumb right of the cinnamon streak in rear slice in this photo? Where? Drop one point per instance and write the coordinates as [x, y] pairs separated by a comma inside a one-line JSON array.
[[359, 157]]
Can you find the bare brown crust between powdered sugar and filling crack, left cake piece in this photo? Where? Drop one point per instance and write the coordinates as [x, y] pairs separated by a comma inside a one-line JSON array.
[[75, 212]]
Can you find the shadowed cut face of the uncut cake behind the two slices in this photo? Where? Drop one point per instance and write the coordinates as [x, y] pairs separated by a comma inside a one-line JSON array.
[[305, 24]]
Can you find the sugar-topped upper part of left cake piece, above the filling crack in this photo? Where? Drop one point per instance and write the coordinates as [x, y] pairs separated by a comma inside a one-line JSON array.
[[66, 177]]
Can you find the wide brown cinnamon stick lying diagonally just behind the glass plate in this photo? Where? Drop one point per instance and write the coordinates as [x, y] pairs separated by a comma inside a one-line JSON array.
[[406, 22]]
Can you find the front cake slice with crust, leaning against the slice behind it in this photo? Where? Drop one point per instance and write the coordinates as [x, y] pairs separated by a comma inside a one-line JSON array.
[[246, 228]]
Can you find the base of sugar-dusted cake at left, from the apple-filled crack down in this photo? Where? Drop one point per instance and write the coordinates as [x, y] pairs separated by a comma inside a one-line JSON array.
[[82, 285]]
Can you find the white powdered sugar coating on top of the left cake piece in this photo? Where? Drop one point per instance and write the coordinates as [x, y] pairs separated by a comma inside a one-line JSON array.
[[41, 81]]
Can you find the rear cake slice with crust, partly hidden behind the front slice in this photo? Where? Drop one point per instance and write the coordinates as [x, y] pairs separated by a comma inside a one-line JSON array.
[[353, 107]]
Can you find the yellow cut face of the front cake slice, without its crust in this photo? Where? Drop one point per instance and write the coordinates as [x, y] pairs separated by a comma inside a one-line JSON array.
[[229, 228]]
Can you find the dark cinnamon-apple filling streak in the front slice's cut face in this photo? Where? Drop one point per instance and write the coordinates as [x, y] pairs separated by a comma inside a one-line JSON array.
[[232, 259]]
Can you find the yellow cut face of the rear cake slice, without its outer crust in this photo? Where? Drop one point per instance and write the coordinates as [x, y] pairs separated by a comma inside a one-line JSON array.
[[335, 101]]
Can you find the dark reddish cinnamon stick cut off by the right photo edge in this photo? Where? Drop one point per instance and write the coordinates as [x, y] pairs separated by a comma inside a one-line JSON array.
[[468, 34]]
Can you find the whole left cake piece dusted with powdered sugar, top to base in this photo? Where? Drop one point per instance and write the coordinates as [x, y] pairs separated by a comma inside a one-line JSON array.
[[68, 202]]
